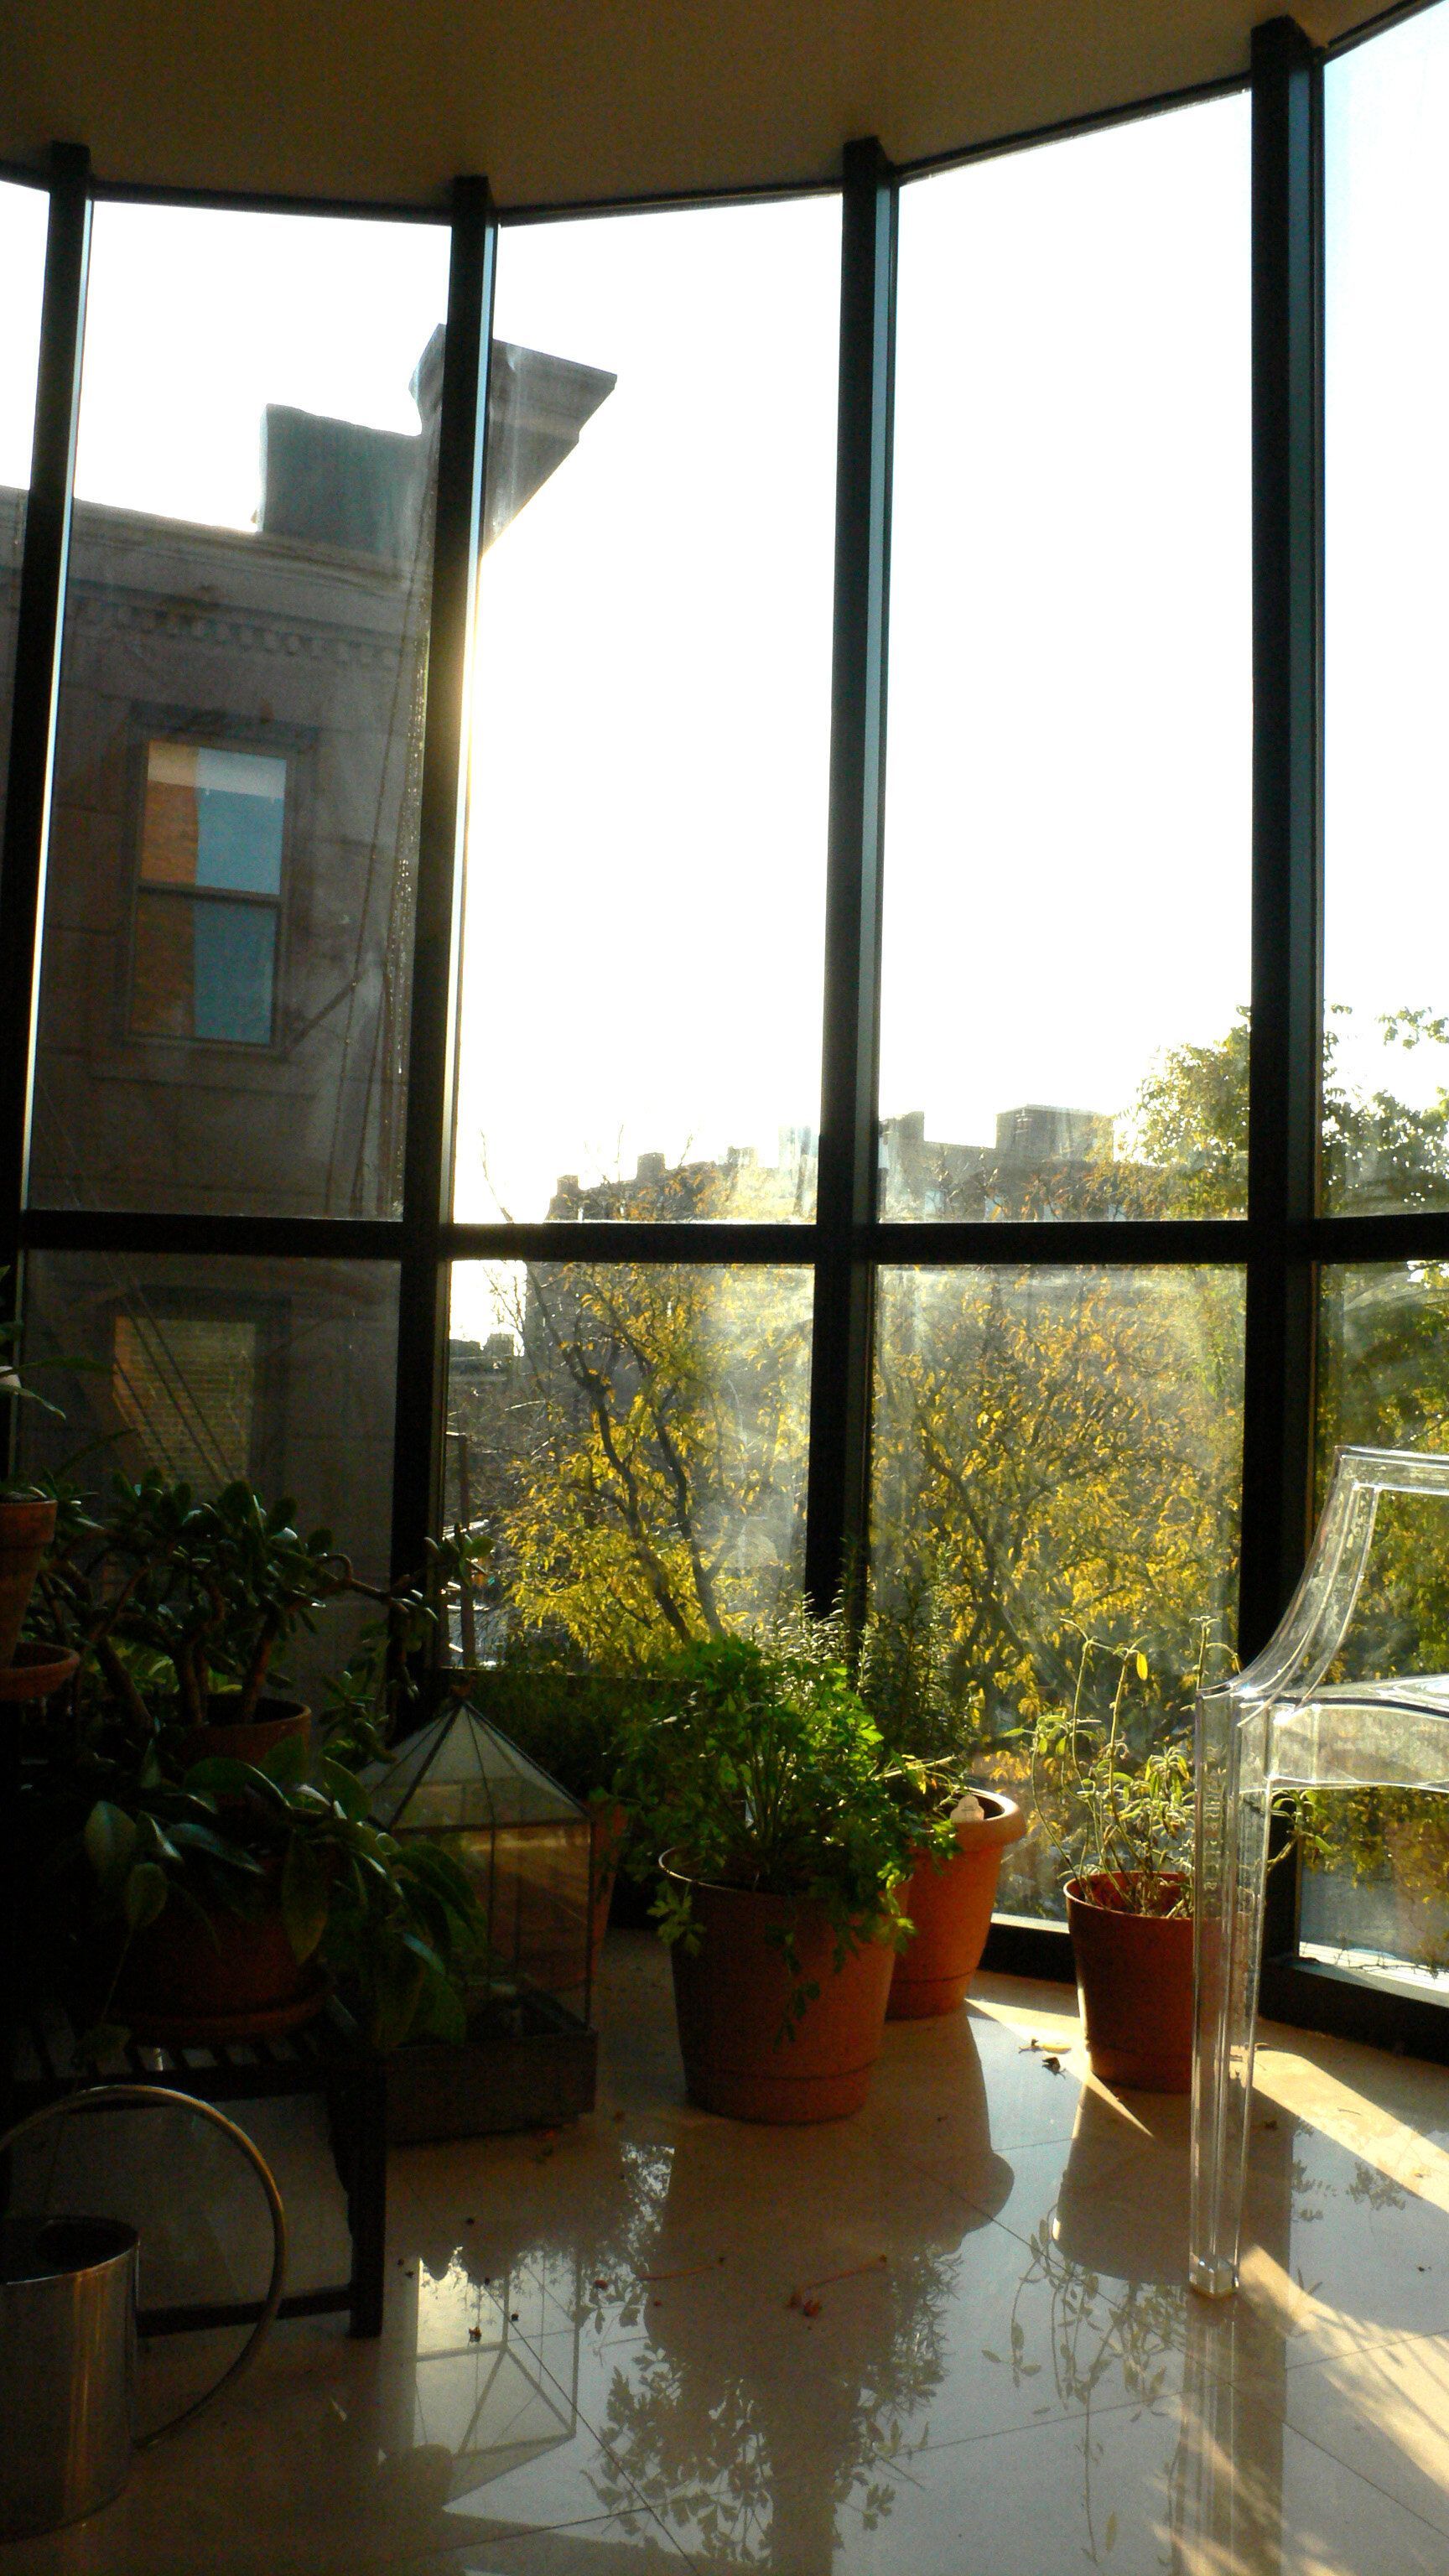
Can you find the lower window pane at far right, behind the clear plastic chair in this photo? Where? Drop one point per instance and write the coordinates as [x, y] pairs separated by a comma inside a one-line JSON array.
[[1376, 1892]]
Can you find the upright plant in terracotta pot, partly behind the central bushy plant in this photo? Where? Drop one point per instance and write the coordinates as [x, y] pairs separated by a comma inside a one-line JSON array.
[[950, 1897]]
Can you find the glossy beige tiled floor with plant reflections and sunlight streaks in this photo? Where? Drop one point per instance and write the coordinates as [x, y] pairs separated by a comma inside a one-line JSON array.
[[599, 2353]]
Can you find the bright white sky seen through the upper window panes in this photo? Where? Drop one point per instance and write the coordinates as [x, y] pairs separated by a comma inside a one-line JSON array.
[[1071, 689]]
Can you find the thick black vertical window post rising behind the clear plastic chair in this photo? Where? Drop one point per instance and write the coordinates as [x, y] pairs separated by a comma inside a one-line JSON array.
[[1288, 820]]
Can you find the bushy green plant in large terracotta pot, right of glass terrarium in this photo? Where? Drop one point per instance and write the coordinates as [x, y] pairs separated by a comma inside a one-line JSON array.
[[762, 1784]]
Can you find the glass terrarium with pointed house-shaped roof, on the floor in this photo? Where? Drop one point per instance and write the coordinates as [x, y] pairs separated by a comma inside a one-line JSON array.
[[525, 1846]]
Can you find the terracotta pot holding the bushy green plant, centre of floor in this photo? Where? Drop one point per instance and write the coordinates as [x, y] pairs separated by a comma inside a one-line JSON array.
[[734, 1995]]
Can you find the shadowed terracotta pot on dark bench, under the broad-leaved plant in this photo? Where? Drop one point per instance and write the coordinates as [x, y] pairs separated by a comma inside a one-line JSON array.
[[210, 1977]]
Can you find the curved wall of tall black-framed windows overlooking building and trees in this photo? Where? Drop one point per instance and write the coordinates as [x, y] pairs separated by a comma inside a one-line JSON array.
[[893, 635]]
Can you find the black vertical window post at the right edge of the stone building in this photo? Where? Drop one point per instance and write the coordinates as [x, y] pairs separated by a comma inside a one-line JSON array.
[[429, 1153]]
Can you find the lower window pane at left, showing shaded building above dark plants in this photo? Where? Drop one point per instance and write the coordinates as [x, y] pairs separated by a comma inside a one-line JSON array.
[[220, 1369]]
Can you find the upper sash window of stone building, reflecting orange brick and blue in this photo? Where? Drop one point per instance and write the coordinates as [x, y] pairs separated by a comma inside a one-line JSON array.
[[210, 895]]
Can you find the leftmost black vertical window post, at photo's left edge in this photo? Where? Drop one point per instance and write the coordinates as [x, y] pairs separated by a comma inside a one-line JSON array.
[[37, 674]]
